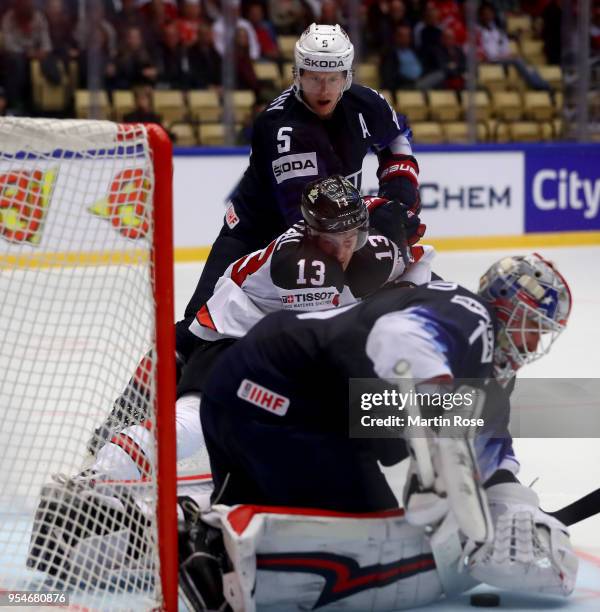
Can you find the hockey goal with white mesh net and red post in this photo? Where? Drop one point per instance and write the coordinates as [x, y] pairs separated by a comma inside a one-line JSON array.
[[85, 292]]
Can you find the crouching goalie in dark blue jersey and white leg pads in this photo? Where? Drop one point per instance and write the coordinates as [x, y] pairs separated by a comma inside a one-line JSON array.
[[275, 418]]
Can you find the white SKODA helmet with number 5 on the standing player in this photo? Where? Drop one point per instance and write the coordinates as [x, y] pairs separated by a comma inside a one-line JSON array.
[[323, 48]]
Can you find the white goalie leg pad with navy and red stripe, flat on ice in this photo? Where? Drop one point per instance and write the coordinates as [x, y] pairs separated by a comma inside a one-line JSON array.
[[297, 558]]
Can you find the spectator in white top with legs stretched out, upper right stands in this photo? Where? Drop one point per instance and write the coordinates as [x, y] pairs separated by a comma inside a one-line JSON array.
[[493, 46]]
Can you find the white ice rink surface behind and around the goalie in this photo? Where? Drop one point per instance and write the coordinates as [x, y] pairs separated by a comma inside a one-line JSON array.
[[565, 469]]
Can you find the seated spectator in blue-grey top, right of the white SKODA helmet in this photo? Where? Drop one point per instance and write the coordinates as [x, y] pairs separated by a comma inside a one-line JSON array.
[[401, 67]]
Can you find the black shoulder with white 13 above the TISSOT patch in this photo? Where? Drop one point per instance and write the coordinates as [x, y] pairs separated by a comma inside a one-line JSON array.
[[297, 262]]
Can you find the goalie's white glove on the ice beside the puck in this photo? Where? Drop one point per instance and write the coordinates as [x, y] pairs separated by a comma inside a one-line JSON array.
[[531, 550]]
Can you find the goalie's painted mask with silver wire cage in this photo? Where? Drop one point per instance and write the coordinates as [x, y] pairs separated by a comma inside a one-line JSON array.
[[532, 302]]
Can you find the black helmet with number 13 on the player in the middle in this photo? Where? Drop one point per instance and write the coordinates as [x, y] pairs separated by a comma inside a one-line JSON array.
[[333, 206]]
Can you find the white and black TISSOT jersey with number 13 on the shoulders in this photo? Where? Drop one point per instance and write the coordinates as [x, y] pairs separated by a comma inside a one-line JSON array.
[[292, 273]]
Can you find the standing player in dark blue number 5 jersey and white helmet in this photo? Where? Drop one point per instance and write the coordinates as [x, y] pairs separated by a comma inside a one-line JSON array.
[[323, 125]]
